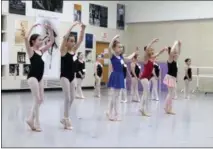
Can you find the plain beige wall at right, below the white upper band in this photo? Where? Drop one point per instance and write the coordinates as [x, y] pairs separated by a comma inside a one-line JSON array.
[[196, 37]]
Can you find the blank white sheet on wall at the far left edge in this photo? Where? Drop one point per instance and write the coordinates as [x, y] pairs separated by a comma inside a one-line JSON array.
[[5, 53]]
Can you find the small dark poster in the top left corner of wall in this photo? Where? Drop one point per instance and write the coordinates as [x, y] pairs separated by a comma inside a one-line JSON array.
[[17, 7]]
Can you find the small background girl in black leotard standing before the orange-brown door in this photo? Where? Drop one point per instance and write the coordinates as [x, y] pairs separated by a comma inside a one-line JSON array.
[[98, 76]]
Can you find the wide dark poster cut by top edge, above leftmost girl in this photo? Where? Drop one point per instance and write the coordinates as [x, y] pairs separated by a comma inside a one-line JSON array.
[[48, 5]]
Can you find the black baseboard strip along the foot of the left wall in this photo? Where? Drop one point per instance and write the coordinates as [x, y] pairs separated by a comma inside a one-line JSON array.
[[46, 89]]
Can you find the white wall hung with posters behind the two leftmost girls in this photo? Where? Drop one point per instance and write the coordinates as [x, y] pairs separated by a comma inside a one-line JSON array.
[[66, 18]]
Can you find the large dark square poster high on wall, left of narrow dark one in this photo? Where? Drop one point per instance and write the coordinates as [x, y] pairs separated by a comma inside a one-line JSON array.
[[98, 15]]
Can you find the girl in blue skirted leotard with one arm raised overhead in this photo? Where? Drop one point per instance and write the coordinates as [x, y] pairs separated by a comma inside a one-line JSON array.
[[116, 79]]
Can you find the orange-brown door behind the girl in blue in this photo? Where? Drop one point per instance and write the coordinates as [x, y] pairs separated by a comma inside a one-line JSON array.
[[100, 46]]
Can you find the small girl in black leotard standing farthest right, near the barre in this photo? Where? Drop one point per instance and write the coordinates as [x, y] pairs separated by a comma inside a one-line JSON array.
[[187, 78]]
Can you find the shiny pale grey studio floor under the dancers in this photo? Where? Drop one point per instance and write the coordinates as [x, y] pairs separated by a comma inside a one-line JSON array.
[[192, 126]]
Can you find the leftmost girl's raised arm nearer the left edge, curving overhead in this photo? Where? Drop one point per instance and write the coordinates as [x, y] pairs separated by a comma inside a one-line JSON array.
[[26, 40]]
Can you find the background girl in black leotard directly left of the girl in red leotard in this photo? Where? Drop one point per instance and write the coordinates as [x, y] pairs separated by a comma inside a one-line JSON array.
[[135, 72]]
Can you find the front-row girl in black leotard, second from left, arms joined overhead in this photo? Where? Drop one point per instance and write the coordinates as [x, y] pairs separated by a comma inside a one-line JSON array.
[[68, 49]]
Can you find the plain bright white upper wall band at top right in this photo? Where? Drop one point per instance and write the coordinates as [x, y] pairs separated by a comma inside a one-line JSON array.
[[149, 11]]
